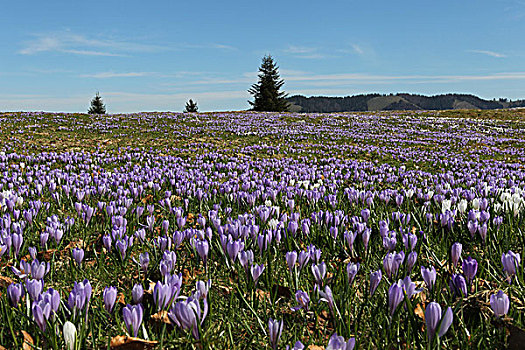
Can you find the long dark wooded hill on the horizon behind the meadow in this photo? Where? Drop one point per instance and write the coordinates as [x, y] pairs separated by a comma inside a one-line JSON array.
[[378, 102]]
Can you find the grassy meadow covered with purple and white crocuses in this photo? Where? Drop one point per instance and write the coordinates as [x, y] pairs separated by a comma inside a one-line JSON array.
[[262, 230]]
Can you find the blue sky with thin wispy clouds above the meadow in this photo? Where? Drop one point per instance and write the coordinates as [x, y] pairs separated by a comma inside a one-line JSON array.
[[156, 55]]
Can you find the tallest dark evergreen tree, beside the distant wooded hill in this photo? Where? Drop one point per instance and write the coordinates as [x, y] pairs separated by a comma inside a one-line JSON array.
[[266, 92]]
